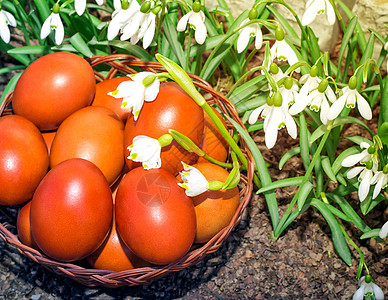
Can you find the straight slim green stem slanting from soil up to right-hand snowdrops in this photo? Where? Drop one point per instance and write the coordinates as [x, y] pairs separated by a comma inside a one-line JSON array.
[[279, 228]]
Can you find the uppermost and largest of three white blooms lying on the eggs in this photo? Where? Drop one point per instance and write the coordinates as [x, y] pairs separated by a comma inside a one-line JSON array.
[[143, 87]]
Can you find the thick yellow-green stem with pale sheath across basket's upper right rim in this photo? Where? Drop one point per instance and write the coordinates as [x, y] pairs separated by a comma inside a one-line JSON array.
[[185, 82]]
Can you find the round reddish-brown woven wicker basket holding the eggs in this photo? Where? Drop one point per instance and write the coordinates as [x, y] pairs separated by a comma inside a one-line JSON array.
[[128, 64]]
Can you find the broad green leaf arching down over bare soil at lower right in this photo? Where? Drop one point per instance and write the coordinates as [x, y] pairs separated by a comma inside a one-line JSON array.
[[338, 237]]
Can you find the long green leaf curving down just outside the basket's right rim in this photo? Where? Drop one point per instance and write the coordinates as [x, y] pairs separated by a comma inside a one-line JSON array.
[[262, 169]]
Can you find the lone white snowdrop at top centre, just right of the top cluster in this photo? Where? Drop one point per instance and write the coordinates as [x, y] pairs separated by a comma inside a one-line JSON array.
[[196, 20]]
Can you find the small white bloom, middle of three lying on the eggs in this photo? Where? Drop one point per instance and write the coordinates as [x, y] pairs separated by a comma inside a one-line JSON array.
[[147, 151]]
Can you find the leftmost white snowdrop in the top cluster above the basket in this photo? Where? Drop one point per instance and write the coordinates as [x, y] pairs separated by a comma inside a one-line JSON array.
[[121, 16]]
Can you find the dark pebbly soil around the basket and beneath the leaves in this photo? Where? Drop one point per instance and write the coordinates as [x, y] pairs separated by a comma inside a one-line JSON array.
[[301, 264]]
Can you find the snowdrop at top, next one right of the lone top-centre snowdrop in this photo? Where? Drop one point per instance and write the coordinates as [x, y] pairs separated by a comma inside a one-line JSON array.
[[252, 30]]
